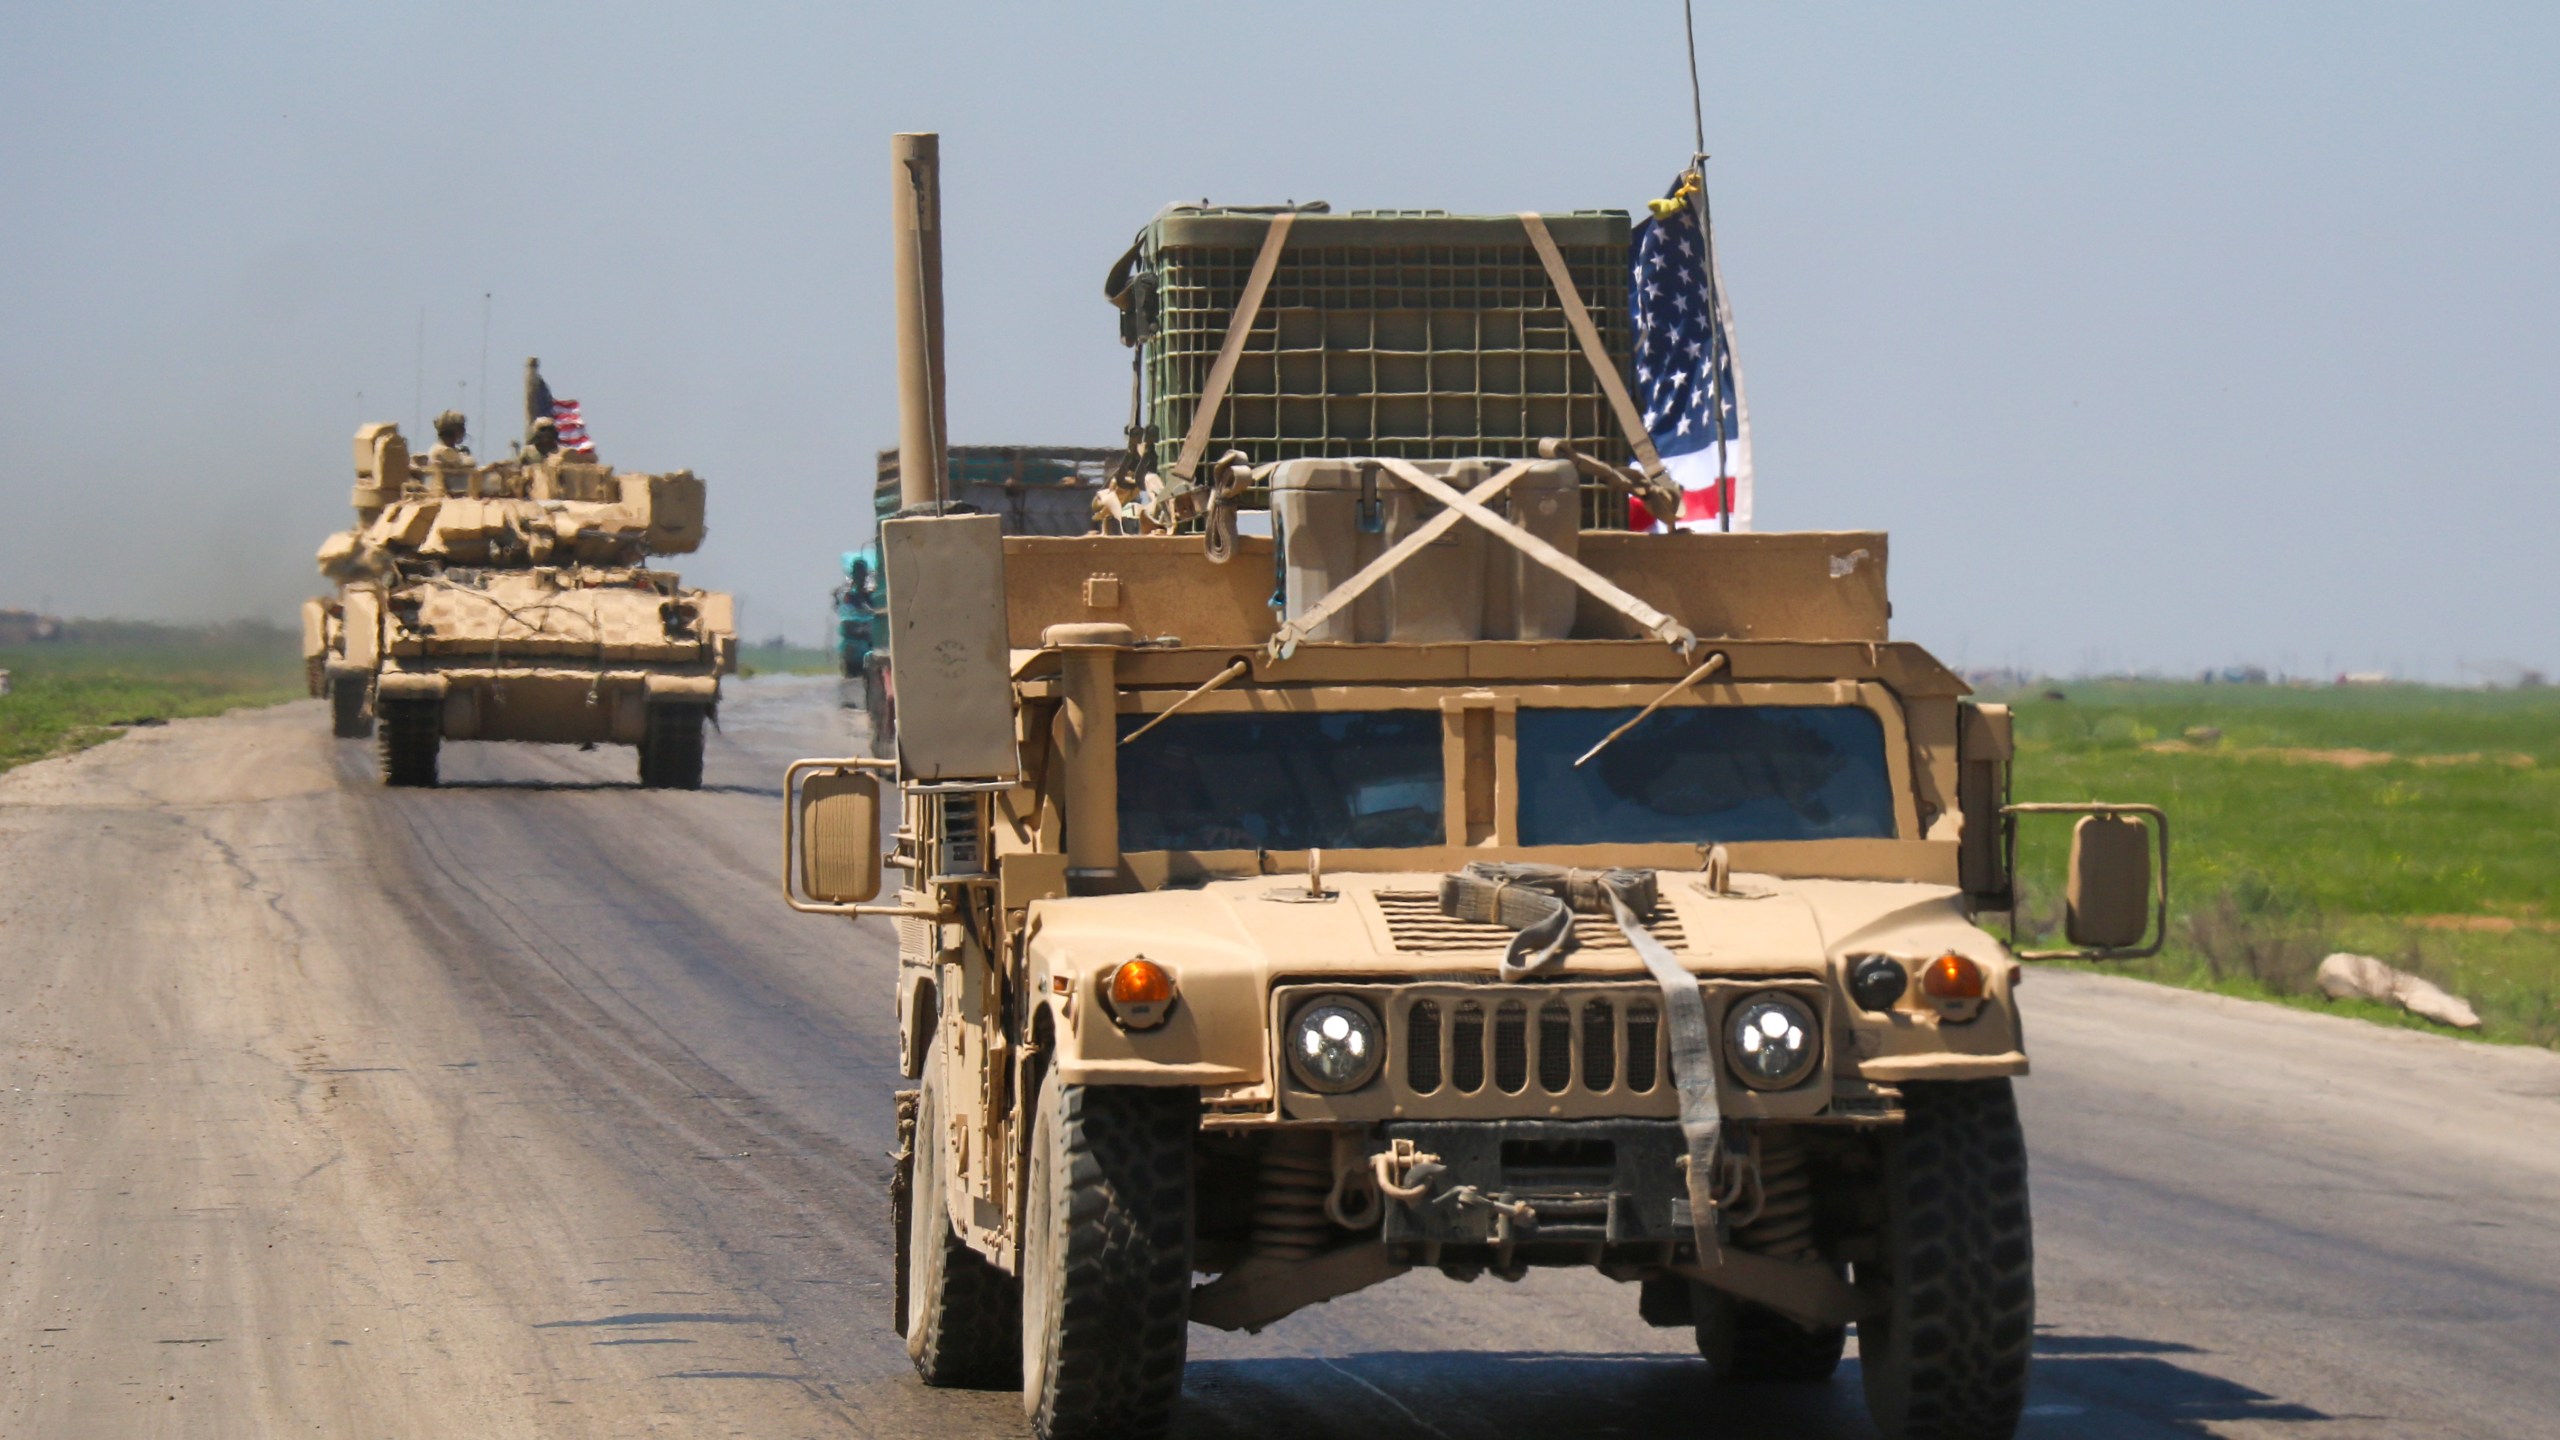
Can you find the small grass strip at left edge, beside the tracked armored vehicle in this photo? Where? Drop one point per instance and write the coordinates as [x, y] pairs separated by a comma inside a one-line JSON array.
[[91, 688]]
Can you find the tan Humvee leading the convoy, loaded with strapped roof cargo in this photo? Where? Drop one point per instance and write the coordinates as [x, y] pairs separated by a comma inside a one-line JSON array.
[[1517, 893]]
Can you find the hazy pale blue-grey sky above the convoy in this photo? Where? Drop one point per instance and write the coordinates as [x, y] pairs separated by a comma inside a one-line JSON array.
[[2157, 337]]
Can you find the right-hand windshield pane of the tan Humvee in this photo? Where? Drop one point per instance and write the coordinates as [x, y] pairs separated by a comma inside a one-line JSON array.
[[1706, 775]]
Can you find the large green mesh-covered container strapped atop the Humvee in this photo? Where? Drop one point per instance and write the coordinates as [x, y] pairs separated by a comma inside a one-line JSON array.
[[1394, 334]]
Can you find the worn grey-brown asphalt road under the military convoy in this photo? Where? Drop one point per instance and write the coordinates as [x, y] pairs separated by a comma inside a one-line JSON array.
[[524, 1108]]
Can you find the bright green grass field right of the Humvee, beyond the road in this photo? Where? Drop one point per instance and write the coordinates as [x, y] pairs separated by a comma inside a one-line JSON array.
[[2420, 826]]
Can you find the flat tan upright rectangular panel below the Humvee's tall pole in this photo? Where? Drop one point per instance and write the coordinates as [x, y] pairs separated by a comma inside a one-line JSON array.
[[948, 650]]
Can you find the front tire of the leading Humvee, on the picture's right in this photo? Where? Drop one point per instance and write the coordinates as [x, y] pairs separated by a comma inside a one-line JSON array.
[[1949, 1354]]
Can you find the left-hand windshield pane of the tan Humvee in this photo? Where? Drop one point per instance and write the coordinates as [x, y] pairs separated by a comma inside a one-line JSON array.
[[1284, 783]]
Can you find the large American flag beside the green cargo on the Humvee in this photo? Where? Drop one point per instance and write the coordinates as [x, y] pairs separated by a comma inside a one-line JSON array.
[[1688, 380]]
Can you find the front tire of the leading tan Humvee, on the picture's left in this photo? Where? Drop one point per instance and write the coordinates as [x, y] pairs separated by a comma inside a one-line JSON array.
[[1107, 1259]]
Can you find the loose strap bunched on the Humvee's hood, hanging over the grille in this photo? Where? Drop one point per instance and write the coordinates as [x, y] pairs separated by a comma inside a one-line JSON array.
[[1540, 903]]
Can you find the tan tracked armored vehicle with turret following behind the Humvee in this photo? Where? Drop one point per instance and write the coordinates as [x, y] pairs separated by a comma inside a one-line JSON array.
[[516, 603]]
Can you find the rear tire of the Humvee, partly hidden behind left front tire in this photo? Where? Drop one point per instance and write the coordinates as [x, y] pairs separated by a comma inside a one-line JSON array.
[[964, 1316]]
